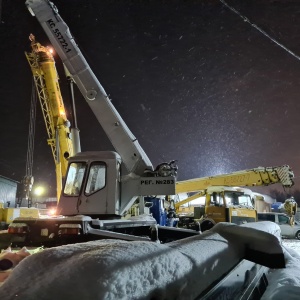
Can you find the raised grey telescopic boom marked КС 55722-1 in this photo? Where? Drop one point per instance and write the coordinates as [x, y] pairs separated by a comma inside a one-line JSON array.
[[124, 142]]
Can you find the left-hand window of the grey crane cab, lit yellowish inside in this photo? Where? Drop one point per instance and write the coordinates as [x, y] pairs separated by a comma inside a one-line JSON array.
[[74, 179]]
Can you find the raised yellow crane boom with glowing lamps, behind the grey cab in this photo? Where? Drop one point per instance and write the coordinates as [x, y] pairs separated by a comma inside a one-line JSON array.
[[60, 137]]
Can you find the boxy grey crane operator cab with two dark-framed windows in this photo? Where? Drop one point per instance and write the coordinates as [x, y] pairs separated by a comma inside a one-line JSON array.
[[91, 185]]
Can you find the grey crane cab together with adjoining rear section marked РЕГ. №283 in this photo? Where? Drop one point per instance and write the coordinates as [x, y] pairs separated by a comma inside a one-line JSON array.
[[94, 186]]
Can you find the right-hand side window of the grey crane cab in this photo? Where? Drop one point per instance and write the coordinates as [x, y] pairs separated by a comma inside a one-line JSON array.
[[96, 178]]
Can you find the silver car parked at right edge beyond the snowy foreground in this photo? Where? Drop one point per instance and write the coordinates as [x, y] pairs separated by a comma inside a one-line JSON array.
[[288, 230]]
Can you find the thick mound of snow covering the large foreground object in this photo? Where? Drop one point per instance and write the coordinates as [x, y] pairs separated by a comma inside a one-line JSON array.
[[111, 269]]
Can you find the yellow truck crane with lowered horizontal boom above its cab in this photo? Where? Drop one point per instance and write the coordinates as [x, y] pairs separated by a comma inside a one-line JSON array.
[[225, 201]]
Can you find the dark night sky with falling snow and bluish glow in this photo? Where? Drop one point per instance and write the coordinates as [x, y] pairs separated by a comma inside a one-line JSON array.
[[191, 79]]
